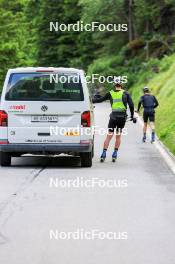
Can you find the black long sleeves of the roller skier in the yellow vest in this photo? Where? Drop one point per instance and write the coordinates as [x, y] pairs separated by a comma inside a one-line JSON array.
[[127, 100]]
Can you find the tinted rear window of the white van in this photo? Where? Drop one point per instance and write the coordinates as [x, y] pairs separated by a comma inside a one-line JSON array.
[[44, 87]]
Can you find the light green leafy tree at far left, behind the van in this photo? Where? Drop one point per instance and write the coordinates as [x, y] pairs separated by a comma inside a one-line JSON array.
[[12, 35]]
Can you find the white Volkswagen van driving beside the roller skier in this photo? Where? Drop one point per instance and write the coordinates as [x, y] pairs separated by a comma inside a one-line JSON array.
[[46, 111]]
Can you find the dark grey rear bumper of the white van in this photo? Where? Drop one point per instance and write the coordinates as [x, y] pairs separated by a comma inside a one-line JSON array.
[[44, 148]]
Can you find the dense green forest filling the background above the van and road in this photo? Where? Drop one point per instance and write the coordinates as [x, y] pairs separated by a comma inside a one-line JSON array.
[[25, 38]]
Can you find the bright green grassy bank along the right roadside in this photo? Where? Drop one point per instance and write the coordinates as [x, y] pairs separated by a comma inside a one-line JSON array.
[[162, 85]]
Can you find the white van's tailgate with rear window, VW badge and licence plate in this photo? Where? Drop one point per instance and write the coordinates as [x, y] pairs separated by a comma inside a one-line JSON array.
[[44, 110]]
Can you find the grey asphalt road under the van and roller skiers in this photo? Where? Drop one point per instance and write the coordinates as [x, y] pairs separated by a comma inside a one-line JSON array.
[[144, 208]]
